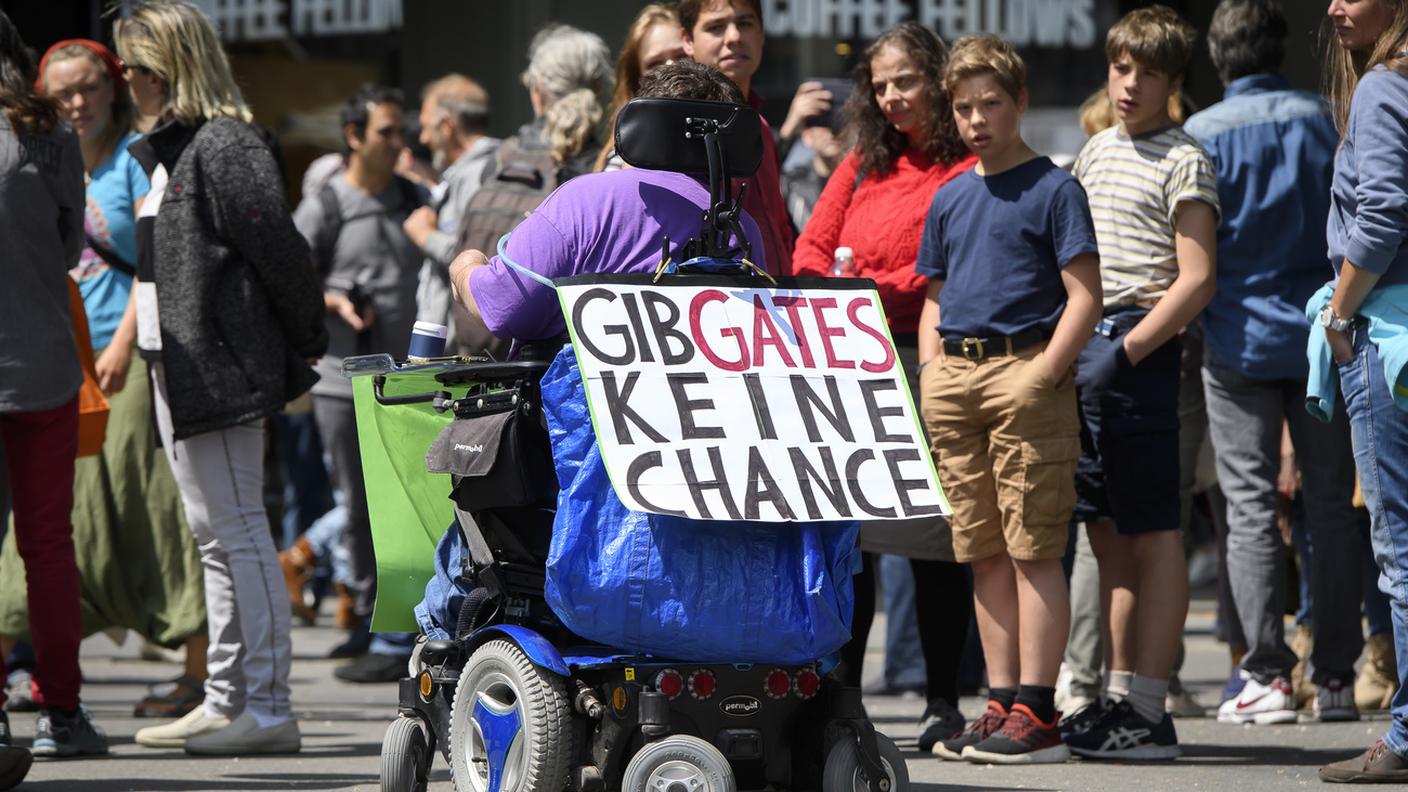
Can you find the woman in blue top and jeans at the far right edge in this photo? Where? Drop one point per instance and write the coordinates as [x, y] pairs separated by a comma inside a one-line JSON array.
[[1362, 316]]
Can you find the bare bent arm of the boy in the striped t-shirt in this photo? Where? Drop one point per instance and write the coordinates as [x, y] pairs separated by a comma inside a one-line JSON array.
[[1196, 232]]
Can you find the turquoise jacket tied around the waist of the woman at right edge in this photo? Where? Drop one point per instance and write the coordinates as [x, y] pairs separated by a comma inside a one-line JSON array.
[[1388, 314]]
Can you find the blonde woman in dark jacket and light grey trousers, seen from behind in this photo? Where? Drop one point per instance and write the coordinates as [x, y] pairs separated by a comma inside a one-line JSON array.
[[229, 316]]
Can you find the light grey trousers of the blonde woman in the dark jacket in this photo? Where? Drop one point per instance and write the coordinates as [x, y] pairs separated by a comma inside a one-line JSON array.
[[220, 477]]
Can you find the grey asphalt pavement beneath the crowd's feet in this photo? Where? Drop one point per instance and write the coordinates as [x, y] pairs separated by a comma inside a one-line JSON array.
[[343, 728]]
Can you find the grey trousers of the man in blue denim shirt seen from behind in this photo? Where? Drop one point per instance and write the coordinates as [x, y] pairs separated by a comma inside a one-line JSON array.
[[1245, 418]]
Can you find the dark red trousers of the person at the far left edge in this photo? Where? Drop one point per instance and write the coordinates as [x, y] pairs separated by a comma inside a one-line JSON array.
[[40, 449]]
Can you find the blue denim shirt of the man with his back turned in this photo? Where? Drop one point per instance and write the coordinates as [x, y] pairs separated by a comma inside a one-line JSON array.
[[1275, 151]]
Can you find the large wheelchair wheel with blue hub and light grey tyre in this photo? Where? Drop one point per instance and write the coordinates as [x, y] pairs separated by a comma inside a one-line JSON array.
[[510, 726]]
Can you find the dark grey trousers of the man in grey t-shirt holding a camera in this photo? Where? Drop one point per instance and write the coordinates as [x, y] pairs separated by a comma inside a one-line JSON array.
[[337, 428]]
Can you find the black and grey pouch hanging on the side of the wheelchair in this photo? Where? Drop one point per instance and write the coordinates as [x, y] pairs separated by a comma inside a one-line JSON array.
[[496, 460]]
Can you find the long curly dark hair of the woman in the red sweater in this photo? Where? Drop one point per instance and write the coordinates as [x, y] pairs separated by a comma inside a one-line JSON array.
[[881, 144]]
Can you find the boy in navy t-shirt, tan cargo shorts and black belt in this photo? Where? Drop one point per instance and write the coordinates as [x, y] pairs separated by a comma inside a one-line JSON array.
[[1014, 294]]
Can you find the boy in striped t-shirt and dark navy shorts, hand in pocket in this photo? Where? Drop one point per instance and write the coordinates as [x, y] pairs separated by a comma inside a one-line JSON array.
[[1155, 204]]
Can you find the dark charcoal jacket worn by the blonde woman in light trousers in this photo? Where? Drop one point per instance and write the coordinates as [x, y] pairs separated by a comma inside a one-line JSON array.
[[240, 305]]
